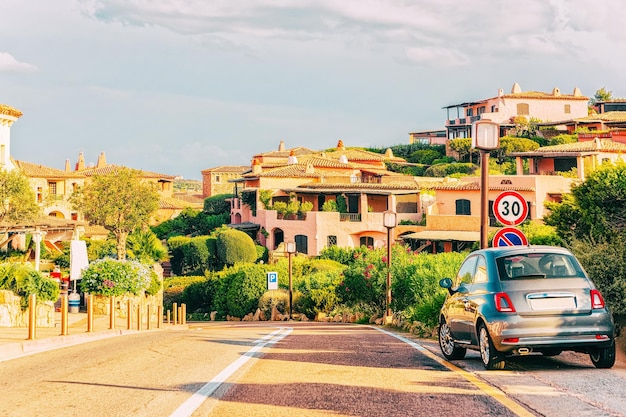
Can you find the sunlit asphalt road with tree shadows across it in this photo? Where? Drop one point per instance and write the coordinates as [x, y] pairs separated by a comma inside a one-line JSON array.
[[296, 369]]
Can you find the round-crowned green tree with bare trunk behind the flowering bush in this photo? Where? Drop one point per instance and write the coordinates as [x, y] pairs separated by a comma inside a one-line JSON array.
[[118, 201]]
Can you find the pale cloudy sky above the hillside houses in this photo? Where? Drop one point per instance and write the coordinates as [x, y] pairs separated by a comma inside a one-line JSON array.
[[178, 86]]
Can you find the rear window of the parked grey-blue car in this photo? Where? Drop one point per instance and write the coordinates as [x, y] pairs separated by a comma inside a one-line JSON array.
[[538, 265]]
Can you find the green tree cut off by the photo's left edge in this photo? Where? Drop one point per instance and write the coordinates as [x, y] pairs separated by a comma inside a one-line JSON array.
[[19, 203]]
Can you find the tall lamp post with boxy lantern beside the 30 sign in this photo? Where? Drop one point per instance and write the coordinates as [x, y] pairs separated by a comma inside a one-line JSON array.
[[485, 137]]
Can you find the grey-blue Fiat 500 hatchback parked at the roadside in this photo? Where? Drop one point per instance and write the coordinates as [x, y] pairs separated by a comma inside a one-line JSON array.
[[519, 300]]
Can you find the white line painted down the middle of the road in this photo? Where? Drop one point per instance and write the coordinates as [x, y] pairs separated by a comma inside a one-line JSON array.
[[187, 408]]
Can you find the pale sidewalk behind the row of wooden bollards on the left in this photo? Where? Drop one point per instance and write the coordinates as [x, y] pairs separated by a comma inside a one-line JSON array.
[[14, 341]]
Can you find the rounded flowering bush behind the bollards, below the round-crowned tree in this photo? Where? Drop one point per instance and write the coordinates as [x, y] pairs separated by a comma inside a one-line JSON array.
[[112, 277]]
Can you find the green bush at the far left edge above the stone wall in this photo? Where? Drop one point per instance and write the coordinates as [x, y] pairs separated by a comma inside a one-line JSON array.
[[24, 280]]
